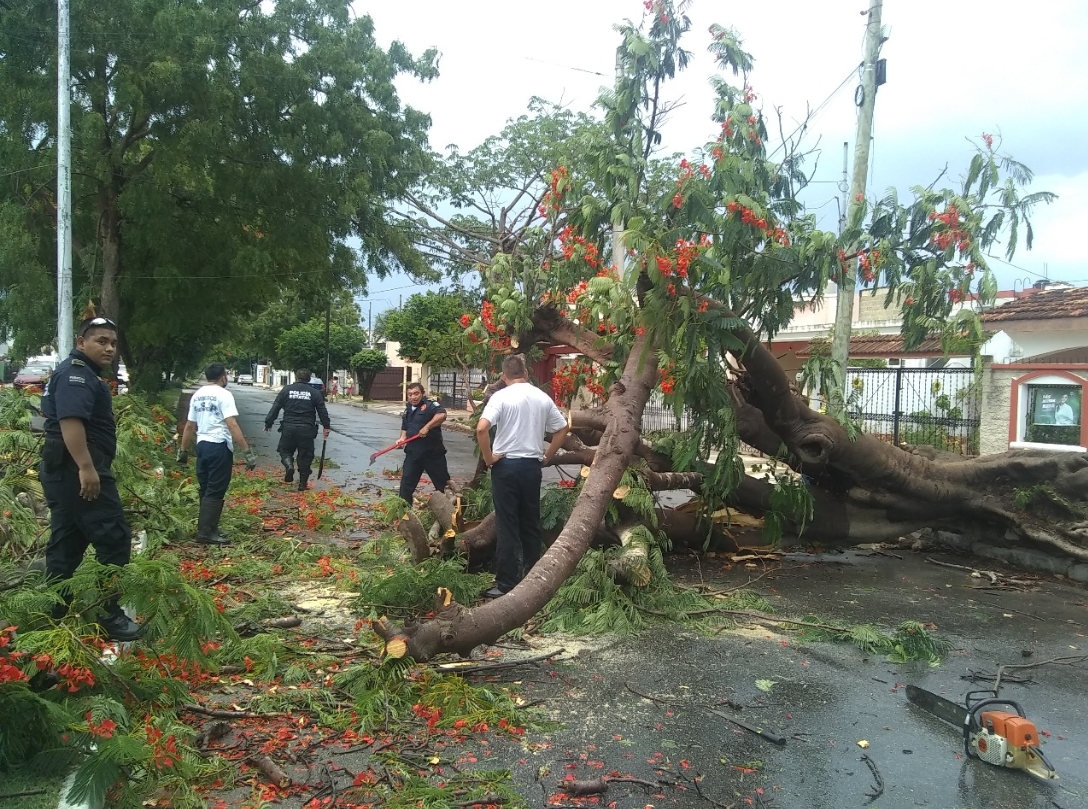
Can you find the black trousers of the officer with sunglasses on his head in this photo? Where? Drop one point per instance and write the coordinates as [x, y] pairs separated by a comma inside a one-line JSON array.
[[76, 524]]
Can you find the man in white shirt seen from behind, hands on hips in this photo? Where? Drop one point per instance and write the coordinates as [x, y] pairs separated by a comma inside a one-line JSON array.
[[522, 415]]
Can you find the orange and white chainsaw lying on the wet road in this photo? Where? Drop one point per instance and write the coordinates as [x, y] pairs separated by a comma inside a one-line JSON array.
[[991, 732]]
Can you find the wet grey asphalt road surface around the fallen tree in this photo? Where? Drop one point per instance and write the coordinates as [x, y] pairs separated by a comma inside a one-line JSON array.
[[641, 706]]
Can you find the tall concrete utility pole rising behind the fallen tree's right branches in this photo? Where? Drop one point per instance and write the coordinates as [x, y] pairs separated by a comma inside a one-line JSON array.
[[848, 277]]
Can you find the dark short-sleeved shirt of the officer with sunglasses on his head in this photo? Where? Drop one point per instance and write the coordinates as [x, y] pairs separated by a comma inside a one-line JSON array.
[[76, 392]]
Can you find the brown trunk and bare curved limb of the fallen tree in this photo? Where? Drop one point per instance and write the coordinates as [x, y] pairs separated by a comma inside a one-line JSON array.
[[861, 490]]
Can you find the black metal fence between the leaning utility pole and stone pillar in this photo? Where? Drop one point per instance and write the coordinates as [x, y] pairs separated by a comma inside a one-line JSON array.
[[936, 407]]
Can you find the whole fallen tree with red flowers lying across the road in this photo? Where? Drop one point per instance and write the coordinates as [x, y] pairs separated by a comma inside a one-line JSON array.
[[716, 260]]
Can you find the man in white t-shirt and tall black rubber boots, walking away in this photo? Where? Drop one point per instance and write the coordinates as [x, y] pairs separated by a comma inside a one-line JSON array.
[[214, 420]]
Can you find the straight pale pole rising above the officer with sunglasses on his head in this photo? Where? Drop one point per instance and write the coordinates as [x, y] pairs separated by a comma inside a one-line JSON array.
[[65, 329]]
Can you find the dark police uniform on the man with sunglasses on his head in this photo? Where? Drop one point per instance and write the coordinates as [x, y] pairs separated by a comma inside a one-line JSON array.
[[76, 391]]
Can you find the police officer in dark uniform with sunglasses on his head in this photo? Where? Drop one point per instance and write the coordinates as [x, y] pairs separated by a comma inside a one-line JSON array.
[[81, 491]]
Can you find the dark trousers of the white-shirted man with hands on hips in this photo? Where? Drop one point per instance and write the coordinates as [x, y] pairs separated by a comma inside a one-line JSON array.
[[516, 491]]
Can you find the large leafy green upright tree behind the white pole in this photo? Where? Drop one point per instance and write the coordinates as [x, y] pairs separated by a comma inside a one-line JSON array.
[[224, 153]]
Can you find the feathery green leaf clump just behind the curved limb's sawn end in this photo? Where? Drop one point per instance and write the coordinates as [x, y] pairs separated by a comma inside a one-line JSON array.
[[411, 590]]
